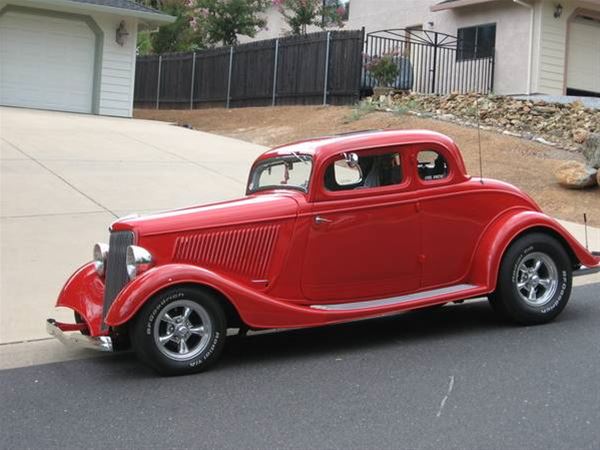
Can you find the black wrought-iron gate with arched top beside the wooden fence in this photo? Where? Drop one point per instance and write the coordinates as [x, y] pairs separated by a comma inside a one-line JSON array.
[[428, 62]]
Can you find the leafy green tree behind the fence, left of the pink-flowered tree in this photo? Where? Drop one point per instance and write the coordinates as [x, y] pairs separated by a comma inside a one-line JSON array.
[[224, 20]]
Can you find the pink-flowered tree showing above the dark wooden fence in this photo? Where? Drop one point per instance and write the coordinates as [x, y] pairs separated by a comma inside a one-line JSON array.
[[301, 14]]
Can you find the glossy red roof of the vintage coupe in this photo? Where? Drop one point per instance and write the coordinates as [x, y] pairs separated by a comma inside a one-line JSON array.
[[326, 146]]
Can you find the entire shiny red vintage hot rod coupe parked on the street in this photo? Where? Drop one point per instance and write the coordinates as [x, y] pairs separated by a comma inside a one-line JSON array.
[[331, 230]]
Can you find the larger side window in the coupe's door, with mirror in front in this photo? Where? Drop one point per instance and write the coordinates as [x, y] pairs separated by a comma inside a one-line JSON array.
[[356, 171]]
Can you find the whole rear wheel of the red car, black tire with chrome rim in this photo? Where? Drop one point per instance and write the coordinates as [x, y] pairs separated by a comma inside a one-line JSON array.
[[551, 282]]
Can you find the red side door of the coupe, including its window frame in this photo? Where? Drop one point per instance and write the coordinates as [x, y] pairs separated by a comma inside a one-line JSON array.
[[364, 236]]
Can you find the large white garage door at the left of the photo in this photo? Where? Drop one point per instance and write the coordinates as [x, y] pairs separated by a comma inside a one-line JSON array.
[[46, 62]]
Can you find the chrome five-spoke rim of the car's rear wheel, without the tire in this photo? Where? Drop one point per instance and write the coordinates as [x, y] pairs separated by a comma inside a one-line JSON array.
[[537, 279]]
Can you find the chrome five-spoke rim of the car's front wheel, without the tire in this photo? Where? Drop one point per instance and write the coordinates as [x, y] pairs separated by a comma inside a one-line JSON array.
[[182, 330]]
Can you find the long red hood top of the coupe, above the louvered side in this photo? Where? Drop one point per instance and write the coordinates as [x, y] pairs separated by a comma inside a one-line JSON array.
[[254, 208]]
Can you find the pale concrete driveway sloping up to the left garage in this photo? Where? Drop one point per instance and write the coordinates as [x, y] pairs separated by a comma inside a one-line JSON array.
[[66, 177]]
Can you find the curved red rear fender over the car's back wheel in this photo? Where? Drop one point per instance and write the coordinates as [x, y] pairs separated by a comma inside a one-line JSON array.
[[499, 235]]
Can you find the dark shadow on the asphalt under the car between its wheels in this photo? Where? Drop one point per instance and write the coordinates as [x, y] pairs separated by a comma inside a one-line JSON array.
[[472, 317]]
